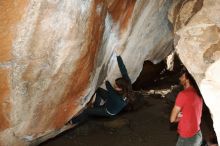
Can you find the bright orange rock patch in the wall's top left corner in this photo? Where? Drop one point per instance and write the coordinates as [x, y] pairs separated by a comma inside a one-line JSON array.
[[11, 13]]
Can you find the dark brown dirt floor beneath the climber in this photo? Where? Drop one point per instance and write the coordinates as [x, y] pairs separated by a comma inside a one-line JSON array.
[[148, 126]]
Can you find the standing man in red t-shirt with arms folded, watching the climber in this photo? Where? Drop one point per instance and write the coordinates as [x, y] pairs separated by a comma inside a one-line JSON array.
[[187, 111]]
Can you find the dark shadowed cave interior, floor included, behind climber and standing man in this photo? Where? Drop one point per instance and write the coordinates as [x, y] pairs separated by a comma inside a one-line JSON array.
[[148, 125]]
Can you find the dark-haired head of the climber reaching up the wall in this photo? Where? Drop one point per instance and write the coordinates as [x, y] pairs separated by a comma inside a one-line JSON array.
[[122, 85]]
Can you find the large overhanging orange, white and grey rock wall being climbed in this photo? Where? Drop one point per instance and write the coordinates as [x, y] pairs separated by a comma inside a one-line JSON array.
[[55, 53]]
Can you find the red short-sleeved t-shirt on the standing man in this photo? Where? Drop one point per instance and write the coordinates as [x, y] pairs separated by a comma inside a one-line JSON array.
[[191, 107]]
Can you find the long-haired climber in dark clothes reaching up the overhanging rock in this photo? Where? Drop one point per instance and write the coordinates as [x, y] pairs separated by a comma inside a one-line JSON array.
[[112, 101]]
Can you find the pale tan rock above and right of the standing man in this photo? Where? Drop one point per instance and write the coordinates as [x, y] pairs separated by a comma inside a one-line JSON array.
[[197, 41]]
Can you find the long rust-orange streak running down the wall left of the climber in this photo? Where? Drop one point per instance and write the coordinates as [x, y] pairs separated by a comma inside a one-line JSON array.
[[85, 65]]
